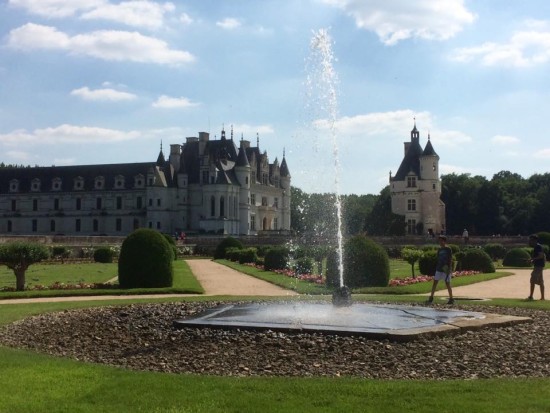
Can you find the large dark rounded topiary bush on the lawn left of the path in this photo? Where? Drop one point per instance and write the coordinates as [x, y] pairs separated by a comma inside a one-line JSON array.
[[145, 260]]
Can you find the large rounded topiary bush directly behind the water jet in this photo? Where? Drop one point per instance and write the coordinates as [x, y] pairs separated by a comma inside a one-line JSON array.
[[366, 264]]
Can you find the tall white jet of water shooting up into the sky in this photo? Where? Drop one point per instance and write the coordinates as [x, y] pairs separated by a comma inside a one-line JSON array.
[[321, 85]]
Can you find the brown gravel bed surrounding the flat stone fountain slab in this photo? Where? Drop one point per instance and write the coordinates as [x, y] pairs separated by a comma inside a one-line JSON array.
[[141, 337]]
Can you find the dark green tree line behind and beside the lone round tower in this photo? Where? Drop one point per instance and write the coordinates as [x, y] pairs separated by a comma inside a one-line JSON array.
[[506, 204]]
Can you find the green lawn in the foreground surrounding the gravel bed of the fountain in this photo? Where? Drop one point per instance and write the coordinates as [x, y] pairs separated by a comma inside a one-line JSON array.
[[40, 383]]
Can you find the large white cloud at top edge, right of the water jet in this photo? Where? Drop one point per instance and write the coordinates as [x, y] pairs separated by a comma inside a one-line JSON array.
[[398, 20]]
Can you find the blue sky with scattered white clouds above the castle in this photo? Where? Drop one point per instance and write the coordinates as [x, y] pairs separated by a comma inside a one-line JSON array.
[[104, 81]]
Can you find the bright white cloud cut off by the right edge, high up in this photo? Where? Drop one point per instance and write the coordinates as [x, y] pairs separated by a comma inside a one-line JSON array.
[[525, 48]]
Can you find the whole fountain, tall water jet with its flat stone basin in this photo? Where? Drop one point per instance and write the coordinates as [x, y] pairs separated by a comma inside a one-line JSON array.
[[395, 322]]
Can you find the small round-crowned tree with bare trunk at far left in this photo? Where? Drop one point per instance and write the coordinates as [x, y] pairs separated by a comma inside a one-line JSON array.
[[18, 256]]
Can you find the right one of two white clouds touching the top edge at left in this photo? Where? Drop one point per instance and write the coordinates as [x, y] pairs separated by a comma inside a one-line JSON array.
[[140, 13]]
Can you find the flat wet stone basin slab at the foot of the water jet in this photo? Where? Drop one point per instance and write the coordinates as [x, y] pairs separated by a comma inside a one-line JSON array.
[[394, 322]]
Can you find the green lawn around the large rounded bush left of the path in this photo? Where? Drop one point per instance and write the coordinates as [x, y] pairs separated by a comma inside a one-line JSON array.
[[184, 281]]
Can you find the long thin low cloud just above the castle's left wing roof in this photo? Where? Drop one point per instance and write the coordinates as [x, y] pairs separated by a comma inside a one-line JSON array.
[[67, 134]]
